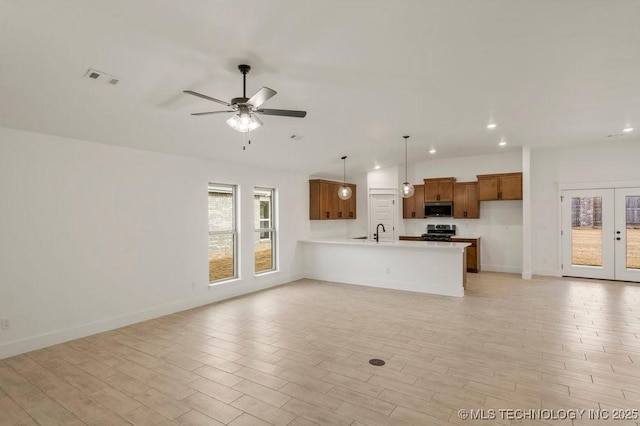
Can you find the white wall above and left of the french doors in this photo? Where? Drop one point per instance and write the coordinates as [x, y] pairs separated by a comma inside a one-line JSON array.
[[603, 162]]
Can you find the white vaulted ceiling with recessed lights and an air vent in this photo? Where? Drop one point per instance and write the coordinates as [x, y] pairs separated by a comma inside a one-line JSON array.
[[549, 72]]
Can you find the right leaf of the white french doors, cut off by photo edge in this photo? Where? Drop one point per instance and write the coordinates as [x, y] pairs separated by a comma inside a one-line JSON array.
[[627, 234]]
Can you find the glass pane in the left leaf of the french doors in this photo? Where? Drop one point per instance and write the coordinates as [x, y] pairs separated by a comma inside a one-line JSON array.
[[586, 231]]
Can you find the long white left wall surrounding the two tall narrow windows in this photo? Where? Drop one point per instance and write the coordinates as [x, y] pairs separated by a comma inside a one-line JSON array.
[[93, 236]]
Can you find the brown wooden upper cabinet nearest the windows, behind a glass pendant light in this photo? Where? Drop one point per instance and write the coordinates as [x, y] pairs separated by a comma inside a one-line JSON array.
[[324, 203]]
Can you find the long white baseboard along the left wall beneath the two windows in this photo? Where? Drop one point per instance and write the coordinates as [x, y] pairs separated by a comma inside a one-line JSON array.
[[217, 294]]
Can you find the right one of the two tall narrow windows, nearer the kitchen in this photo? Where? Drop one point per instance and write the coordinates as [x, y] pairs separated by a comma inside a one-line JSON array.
[[265, 233]]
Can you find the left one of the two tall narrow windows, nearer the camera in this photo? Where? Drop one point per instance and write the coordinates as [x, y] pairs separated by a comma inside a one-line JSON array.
[[223, 235]]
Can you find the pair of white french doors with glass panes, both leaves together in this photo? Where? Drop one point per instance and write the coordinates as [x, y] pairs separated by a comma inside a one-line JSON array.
[[601, 233]]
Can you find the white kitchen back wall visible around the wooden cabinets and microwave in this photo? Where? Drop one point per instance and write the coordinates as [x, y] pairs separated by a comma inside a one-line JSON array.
[[500, 222]]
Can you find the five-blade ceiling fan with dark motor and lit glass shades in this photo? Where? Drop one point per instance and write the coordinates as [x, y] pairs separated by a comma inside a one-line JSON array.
[[245, 109]]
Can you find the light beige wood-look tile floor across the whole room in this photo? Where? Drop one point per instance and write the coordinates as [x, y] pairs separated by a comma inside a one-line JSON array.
[[298, 355]]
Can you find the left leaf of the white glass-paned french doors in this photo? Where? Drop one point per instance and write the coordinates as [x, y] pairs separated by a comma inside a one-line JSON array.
[[588, 233]]
